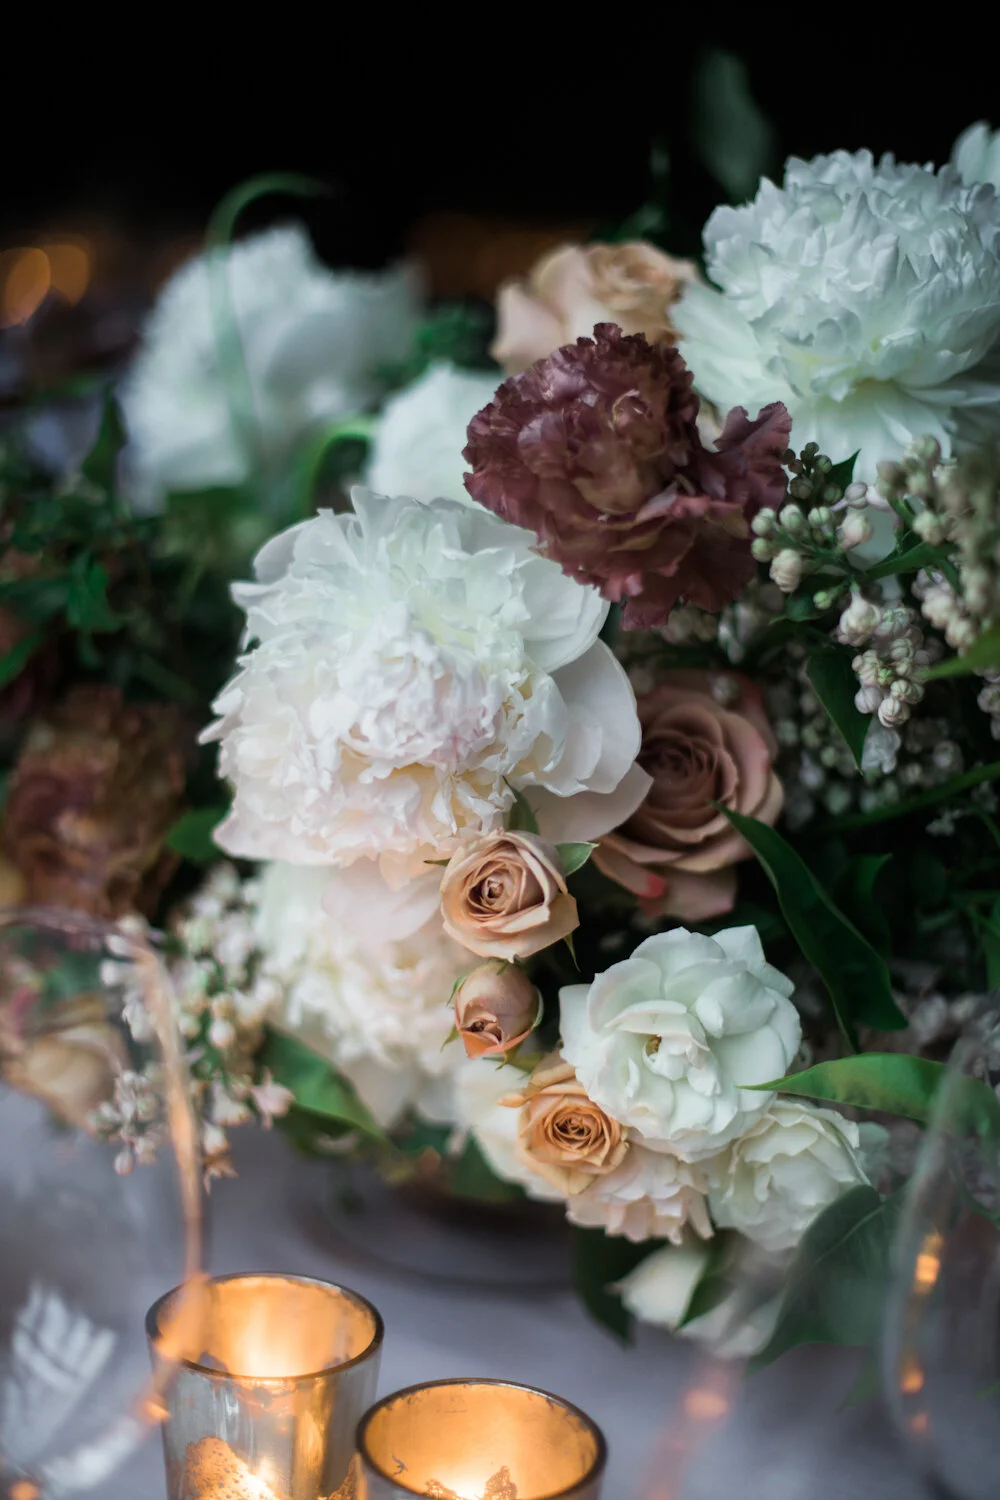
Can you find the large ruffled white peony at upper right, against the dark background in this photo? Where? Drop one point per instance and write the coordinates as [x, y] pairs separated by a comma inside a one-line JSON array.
[[863, 295]]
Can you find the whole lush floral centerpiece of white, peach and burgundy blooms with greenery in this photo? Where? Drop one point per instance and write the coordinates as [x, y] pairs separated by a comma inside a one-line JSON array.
[[566, 760]]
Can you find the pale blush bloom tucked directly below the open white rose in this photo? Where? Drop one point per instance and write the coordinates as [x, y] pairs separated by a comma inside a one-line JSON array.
[[650, 1196]]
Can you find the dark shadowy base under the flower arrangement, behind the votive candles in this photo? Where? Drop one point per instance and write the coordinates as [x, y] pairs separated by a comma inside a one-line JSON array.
[[421, 1229]]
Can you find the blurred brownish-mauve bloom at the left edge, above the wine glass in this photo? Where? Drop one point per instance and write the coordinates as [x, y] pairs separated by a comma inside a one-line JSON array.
[[91, 802]]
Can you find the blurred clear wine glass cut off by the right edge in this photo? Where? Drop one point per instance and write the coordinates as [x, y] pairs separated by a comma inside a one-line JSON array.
[[941, 1357]]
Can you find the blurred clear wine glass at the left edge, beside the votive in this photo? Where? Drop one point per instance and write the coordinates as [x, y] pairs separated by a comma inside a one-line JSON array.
[[100, 1198]]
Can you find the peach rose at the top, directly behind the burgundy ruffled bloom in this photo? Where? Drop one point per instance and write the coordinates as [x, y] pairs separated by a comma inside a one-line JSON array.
[[575, 287]]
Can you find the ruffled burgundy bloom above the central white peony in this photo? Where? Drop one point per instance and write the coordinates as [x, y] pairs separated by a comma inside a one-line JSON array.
[[597, 451]]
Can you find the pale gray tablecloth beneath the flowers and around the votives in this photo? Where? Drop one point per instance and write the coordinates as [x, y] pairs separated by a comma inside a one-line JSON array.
[[783, 1435]]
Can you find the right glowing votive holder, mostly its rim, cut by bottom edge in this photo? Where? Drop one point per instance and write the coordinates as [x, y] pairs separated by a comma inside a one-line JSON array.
[[479, 1441]]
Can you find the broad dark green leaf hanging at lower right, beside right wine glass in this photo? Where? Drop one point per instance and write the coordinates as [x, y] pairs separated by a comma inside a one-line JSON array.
[[839, 1279]]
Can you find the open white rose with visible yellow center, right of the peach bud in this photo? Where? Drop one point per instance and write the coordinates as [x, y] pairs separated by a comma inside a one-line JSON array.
[[672, 1040]]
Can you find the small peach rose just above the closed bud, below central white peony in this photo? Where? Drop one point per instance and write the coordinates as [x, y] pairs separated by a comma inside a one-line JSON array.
[[504, 896]]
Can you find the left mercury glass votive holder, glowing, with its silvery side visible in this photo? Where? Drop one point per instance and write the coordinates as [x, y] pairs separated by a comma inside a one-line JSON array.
[[271, 1408]]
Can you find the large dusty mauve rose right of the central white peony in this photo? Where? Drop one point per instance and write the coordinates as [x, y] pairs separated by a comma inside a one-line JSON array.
[[677, 853]]
